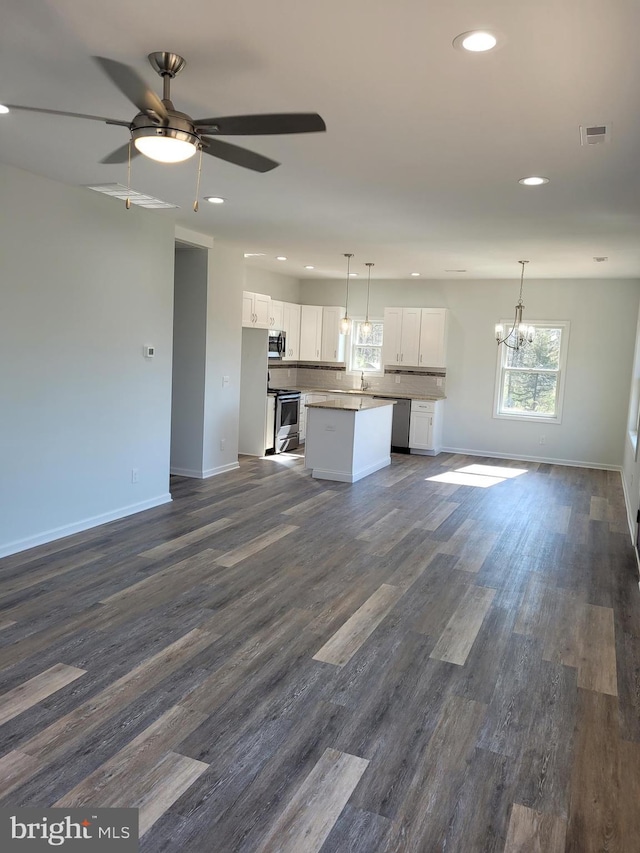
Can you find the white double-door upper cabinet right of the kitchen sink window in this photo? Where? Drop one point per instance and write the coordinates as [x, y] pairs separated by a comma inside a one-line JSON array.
[[415, 337]]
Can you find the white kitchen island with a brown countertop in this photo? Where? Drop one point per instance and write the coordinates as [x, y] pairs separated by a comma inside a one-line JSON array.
[[348, 439]]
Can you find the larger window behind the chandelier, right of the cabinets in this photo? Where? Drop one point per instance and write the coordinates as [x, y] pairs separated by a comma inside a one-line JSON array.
[[530, 381]]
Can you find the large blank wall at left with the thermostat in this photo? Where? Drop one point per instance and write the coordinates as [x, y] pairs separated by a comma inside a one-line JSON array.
[[84, 285]]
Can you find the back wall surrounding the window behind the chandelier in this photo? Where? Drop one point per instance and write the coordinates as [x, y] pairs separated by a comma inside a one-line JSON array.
[[603, 325]]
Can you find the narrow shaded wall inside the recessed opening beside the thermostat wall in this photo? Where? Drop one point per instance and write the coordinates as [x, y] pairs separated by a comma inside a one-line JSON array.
[[189, 357]]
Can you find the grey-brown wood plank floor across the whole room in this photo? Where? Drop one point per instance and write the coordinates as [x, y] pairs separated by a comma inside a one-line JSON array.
[[441, 658]]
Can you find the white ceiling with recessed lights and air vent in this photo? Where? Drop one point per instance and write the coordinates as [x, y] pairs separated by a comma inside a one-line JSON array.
[[419, 167]]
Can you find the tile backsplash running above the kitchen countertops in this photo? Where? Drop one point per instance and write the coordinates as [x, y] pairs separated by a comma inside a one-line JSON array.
[[334, 377]]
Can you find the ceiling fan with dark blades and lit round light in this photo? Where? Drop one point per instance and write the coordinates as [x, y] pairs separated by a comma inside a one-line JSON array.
[[161, 132]]
